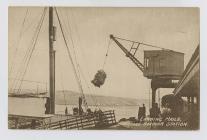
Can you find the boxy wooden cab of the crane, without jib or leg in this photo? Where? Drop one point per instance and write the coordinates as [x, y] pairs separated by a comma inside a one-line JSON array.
[[163, 64]]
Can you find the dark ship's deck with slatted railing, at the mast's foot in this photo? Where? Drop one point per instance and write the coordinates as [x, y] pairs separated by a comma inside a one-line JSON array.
[[64, 122]]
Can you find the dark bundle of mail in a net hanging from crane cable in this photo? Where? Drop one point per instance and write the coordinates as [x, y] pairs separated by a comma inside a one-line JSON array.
[[99, 78]]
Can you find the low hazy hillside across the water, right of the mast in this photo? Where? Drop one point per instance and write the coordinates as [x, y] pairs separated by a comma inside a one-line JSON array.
[[71, 98]]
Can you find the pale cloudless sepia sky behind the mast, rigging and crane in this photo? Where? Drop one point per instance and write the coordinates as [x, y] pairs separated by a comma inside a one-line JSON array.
[[171, 28]]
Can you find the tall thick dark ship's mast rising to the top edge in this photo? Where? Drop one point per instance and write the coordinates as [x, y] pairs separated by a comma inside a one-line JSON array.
[[51, 63]]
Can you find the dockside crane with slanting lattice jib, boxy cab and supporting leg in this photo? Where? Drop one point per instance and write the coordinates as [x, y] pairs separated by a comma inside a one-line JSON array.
[[157, 80]]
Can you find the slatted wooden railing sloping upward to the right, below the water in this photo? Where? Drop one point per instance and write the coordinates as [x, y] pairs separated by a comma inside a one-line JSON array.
[[90, 121]]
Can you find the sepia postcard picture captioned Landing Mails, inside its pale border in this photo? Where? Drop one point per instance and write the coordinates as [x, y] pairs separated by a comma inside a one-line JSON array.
[[103, 68]]
